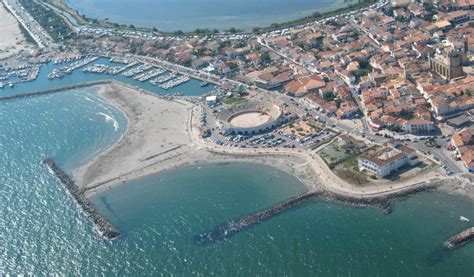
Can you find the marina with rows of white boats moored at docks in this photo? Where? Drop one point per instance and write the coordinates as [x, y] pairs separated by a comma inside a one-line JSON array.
[[51, 74]]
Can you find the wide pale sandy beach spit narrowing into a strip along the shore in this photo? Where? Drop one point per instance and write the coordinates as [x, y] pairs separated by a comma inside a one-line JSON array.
[[163, 134]]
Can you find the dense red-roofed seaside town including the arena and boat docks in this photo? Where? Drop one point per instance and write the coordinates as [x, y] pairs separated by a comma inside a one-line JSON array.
[[383, 93]]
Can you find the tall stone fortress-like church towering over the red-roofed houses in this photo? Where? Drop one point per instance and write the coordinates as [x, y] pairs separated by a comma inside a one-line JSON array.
[[447, 64]]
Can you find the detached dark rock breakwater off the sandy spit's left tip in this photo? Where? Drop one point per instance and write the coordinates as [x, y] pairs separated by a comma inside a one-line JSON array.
[[99, 222]]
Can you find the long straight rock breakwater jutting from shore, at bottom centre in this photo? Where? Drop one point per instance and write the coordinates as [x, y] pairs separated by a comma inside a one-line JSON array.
[[235, 226]]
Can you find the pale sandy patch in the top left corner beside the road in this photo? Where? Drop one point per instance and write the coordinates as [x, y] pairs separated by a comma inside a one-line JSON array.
[[12, 40]]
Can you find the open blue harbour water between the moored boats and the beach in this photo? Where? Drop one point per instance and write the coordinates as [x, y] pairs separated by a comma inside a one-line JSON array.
[[191, 88]]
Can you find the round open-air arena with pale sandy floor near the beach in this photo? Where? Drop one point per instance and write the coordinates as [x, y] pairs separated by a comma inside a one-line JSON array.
[[249, 118]]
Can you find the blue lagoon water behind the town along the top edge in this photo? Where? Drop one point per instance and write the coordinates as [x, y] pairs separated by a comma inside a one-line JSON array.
[[171, 15]]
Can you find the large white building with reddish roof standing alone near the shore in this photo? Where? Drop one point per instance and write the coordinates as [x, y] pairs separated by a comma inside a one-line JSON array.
[[388, 159]]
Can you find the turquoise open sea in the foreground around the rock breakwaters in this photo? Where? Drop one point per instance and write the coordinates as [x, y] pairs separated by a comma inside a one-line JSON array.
[[42, 232]]
